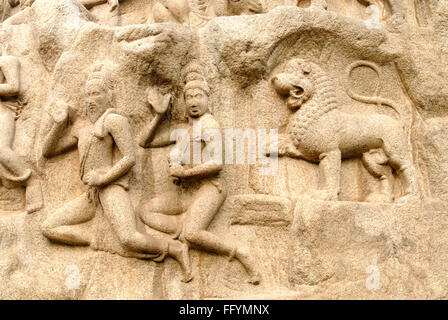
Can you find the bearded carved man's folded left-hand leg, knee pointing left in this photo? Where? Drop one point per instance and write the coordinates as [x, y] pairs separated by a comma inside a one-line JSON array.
[[61, 226]]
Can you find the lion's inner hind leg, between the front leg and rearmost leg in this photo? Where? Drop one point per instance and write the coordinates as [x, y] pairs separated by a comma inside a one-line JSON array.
[[375, 161]]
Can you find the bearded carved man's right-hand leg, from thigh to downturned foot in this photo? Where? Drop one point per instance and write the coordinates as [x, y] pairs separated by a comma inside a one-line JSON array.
[[118, 210]]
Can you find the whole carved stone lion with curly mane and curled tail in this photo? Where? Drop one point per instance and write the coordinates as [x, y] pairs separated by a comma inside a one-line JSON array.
[[319, 132]]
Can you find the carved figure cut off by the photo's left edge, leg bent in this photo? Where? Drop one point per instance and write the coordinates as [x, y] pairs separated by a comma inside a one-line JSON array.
[[14, 170]]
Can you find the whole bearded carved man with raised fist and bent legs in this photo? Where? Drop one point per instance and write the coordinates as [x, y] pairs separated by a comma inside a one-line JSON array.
[[107, 154]]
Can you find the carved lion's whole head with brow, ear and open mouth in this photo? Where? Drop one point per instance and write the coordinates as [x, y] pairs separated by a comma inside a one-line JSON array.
[[295, 84]]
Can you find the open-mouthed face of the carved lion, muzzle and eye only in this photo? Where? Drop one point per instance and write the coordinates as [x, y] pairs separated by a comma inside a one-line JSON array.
[[297, 89]]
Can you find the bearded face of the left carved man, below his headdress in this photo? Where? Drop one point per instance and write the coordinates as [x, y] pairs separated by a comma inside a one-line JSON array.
[[97, 99]]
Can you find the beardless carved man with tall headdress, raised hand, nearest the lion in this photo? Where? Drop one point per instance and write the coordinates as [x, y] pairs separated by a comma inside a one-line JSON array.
[[189, 218]]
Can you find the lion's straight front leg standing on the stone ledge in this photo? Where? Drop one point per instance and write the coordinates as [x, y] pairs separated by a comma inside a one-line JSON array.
[[329, 176]]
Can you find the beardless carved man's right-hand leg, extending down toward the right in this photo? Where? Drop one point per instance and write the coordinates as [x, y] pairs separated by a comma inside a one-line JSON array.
[[201, 213]]
